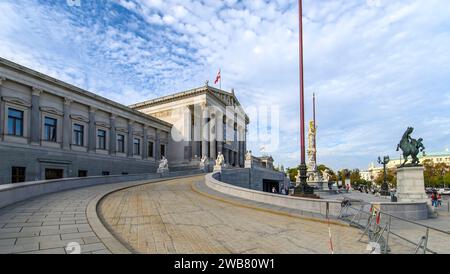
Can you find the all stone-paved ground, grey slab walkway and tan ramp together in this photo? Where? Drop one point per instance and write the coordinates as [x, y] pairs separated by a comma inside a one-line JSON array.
[[181, 216]]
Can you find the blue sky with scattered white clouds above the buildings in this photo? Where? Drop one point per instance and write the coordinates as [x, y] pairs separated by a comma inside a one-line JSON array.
[[377, 66]]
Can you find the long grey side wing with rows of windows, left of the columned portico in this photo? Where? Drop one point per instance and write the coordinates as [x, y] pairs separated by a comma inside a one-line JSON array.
[[50, 129]]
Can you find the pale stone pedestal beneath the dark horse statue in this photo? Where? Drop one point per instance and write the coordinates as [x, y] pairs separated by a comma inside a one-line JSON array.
[[411, 185]]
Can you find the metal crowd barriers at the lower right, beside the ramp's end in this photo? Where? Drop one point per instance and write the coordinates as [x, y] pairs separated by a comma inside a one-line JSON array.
[[379, 228]]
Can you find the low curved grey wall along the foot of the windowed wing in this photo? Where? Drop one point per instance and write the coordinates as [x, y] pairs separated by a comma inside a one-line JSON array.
[[14, 193]]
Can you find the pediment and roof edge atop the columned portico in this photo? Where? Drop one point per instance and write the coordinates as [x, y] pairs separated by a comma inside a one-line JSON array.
[[193, 92]]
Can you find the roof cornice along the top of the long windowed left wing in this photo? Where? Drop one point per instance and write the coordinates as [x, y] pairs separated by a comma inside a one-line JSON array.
[[78, 90]]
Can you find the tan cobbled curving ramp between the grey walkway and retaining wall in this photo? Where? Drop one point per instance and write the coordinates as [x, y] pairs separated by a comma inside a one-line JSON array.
[[170, 217]]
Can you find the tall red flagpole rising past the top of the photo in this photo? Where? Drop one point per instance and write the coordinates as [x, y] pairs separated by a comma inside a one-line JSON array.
[[302, 100]]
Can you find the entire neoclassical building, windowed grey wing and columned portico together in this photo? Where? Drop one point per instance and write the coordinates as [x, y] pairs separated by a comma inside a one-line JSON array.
[[51, 130]]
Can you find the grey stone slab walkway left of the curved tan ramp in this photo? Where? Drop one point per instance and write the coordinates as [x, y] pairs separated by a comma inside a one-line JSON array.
[[48, 223]]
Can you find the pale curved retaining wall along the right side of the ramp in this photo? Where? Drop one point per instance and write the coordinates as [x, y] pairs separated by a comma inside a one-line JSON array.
[[308, 205]]
